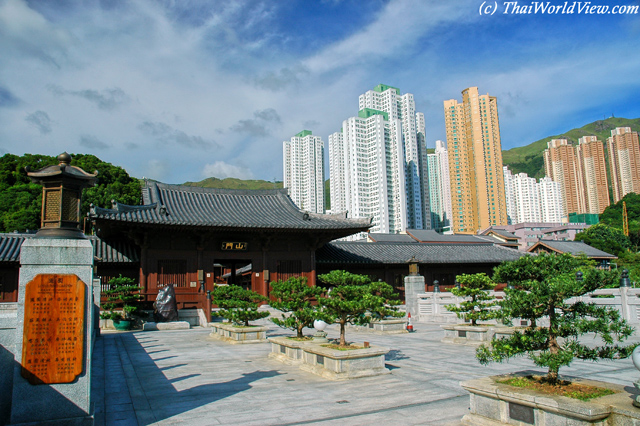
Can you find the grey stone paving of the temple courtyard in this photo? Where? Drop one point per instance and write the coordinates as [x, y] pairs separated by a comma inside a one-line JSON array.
[[187, 378]]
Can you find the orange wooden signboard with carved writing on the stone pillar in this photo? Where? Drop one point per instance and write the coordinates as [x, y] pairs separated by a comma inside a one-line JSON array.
[[53, 339]]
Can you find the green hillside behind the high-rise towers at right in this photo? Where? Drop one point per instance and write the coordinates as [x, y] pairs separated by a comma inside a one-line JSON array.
[[528, 159]]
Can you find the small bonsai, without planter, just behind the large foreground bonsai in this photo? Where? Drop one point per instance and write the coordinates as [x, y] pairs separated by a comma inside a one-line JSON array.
[[478, 306]]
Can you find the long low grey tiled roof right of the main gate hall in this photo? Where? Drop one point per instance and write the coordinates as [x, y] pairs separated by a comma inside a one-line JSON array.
[[400, 253]]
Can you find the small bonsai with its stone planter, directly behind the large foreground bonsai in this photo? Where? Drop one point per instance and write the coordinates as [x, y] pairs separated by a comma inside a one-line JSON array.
[[478, 305]]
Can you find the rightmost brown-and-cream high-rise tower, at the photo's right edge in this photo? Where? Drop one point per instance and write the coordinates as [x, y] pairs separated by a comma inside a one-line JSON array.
[[624, 159]]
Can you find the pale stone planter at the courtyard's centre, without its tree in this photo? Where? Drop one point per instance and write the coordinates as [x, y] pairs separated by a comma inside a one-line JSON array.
[[334, 364]]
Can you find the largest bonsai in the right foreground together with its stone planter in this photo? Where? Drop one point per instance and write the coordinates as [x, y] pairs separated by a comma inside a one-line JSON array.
[[546, 292]]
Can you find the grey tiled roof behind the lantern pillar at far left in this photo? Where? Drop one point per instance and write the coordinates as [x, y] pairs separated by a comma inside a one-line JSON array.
[[103, 252]]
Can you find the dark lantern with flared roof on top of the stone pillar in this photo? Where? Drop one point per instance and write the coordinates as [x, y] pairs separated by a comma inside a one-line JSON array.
[[61, 198]]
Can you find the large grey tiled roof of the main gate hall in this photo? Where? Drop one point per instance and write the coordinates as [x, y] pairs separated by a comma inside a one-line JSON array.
[[180, 205]]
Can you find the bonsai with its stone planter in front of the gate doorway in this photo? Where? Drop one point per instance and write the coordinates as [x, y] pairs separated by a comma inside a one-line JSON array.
[[239, 306]]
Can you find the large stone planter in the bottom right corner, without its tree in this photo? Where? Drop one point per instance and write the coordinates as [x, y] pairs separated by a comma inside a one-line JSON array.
[[493, 403]]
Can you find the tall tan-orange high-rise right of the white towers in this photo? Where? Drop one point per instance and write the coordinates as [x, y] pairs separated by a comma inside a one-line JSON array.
[[475, 162]]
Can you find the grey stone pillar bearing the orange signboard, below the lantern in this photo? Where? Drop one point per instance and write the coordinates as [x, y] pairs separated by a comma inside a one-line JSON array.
[[54, 334]]
